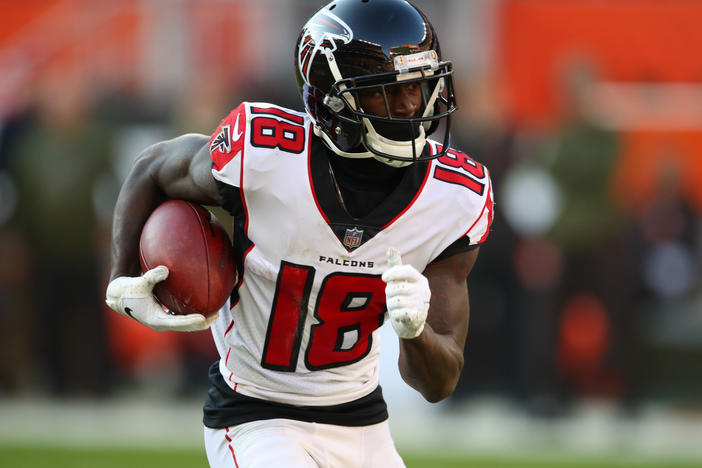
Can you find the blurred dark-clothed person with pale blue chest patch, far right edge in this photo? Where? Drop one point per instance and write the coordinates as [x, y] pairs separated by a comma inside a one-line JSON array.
[[668, 238]]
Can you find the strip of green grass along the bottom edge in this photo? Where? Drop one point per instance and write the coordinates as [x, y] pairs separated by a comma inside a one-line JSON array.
[[44, 457]]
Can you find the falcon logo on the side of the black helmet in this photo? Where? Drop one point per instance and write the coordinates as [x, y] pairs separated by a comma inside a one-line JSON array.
[[321, 32]]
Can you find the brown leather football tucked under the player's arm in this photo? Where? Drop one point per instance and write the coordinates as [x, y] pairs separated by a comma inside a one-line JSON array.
[[193, 244]]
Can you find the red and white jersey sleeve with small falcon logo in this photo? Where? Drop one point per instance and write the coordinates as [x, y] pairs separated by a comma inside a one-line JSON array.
[[227, 147]]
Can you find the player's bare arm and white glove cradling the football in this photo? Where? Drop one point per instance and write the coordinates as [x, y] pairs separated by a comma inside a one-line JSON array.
[[174, 169]]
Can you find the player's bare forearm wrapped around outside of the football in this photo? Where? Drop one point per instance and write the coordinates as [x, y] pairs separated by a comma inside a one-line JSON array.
[[137, 199]]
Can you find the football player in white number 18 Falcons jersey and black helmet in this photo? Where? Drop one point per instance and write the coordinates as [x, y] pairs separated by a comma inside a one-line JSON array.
[[346, 216]]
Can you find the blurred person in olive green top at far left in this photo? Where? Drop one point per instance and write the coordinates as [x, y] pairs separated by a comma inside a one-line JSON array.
[[55, 163]]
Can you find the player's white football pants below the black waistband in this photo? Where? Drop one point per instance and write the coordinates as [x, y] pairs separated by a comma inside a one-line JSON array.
[[284, 443]]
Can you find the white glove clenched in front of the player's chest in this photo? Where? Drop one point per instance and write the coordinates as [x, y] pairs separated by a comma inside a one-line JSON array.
[[407, 296]]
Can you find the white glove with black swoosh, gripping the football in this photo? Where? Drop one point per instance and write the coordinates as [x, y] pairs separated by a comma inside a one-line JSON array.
[[133, 296]]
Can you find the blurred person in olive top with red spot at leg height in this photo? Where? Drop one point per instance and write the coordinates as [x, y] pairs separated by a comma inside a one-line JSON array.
[[595, 290]]
